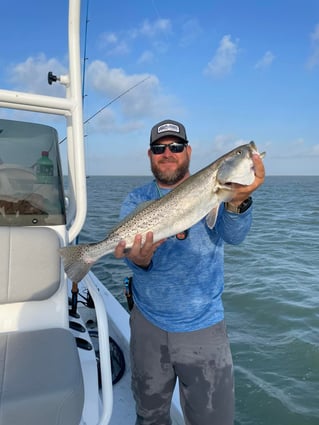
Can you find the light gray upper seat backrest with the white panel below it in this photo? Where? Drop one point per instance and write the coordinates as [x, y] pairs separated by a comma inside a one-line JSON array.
[[33, 290]]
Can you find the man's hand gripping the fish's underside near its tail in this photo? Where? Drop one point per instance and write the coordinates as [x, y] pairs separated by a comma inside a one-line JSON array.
[[140, 254]]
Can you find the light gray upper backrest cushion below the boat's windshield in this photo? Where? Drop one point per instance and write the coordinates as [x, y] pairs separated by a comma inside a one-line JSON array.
[[29, 263]]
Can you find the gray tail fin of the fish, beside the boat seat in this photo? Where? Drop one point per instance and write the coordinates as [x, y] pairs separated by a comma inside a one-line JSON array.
[[76, 262]]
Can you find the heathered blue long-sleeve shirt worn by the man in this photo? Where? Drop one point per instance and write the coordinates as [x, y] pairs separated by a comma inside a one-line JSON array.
[[181, 289]]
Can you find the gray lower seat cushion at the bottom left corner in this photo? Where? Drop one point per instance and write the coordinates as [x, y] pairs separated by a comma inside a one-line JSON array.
[[40, 378]]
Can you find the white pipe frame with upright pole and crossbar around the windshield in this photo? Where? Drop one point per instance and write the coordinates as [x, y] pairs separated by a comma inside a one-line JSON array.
[[71, 107]]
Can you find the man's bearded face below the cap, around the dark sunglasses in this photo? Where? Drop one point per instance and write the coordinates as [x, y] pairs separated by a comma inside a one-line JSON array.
[[170, 168]]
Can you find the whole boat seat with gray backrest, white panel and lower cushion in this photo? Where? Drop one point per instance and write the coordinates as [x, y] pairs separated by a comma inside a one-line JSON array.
[[40, 372]]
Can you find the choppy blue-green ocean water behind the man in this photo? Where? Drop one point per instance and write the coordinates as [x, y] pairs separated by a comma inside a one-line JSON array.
[[271, 295]]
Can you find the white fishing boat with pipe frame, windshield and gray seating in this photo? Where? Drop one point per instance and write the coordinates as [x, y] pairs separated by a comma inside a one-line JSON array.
[[64, 346]]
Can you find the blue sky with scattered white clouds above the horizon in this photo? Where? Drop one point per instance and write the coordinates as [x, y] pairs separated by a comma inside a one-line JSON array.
[[231, 71]]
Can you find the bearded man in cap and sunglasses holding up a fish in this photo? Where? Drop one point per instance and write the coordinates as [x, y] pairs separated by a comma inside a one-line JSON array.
[[177, 323]]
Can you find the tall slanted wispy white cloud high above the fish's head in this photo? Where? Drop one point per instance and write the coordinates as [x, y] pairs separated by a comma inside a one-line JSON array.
[[224, 58]]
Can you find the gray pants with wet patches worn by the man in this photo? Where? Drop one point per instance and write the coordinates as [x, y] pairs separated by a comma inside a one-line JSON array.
[[202, 362]]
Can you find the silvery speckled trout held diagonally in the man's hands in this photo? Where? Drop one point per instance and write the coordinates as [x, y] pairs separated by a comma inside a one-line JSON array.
[[198, 196]]
